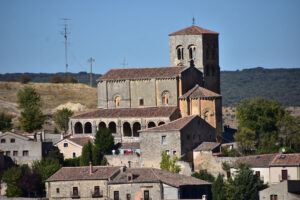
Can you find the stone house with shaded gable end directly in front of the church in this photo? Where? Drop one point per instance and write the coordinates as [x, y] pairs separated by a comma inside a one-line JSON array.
[[177, 138]]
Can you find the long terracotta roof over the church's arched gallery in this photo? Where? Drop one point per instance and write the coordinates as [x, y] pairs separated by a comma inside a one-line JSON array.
[[129, 112]]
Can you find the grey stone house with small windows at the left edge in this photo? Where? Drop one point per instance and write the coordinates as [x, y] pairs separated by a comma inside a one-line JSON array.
[[24, 148]]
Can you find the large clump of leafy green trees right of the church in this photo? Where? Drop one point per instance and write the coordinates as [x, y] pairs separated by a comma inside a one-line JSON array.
[[265, 127]]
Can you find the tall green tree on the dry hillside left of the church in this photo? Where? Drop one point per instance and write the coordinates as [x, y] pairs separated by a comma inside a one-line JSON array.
[[31, 117]]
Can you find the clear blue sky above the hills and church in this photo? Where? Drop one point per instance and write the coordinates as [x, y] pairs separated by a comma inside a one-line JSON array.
[[253, 33]]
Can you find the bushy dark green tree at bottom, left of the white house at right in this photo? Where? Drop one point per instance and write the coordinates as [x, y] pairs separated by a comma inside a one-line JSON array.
[[245, 185]]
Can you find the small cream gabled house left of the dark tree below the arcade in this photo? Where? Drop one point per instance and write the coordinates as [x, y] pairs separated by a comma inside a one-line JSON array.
[[71, 147]]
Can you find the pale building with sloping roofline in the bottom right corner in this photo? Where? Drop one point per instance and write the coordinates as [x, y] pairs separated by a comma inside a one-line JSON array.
[[285, 190]]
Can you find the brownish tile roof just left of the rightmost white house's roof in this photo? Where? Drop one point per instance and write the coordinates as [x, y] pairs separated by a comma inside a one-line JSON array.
[[263, 160]]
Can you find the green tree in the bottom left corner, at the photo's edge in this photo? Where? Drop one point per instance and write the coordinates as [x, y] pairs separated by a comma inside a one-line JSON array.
[[11, 177]]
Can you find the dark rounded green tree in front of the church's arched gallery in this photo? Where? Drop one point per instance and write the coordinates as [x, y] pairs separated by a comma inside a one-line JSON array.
[[104, 140]]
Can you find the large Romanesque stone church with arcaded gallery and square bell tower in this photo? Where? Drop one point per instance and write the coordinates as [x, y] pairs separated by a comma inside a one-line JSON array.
[[132, 100]]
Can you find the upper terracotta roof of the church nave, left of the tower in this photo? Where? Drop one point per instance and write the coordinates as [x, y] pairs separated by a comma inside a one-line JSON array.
[[142, 73]]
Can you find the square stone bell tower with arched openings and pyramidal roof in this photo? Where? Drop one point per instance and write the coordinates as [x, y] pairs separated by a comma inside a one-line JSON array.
[[201, 46]]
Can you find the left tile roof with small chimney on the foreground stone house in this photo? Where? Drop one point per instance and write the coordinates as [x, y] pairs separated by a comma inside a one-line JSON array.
[[83, 173]]
